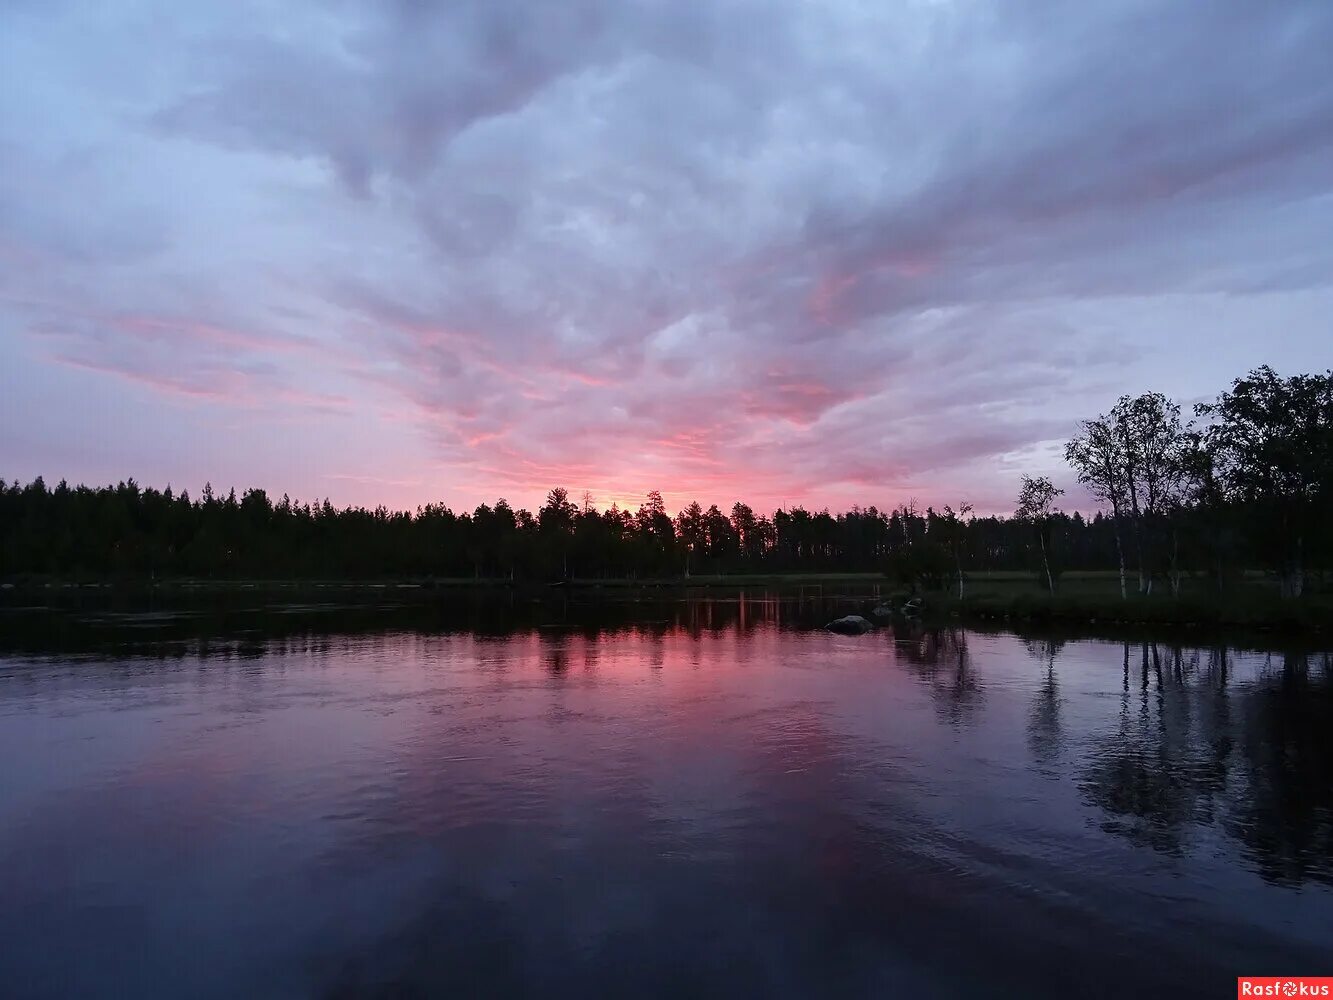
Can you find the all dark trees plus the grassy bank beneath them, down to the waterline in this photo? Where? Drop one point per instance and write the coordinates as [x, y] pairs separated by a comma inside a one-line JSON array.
[[1223, 519]]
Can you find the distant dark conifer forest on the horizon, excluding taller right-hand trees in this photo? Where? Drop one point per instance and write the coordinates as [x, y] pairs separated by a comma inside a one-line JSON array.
[[146, 533]]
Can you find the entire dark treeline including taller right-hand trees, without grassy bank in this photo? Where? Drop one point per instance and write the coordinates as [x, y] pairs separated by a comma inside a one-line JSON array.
[[1248, 486]]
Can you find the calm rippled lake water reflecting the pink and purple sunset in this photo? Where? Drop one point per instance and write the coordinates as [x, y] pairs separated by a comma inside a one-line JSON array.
[[706, 799]]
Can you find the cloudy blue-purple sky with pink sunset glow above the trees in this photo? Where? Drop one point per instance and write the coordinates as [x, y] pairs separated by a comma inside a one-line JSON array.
[[832, 254]]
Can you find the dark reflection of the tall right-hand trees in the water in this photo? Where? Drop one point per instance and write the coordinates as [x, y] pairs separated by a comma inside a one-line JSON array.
[[1192, 749]]
